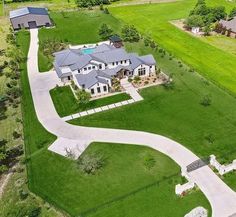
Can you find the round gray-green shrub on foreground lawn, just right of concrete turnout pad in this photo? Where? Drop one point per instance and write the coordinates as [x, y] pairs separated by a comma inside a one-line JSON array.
[[91, 163]]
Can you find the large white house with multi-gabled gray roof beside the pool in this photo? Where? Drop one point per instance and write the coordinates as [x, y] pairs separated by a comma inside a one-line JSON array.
[[94, 71]]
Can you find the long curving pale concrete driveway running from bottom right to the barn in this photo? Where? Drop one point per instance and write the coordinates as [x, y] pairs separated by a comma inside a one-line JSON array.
[[221, 197]]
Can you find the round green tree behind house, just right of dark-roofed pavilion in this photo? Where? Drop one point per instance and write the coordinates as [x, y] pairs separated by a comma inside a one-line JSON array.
[[130, 33]]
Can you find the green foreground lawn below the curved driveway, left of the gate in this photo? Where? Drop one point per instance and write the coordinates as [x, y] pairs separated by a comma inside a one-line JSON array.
[[124, 172]]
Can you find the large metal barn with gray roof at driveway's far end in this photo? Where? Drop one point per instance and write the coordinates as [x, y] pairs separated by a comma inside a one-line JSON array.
[[29, 17]]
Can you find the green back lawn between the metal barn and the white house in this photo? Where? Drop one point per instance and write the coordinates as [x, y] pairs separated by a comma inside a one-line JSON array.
[[72, 28]]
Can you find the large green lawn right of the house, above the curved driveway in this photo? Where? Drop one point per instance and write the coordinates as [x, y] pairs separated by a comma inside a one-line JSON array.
[[178, 113]]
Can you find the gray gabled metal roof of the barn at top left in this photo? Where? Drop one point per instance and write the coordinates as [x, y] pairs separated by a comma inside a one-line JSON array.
[[28, 10]]
